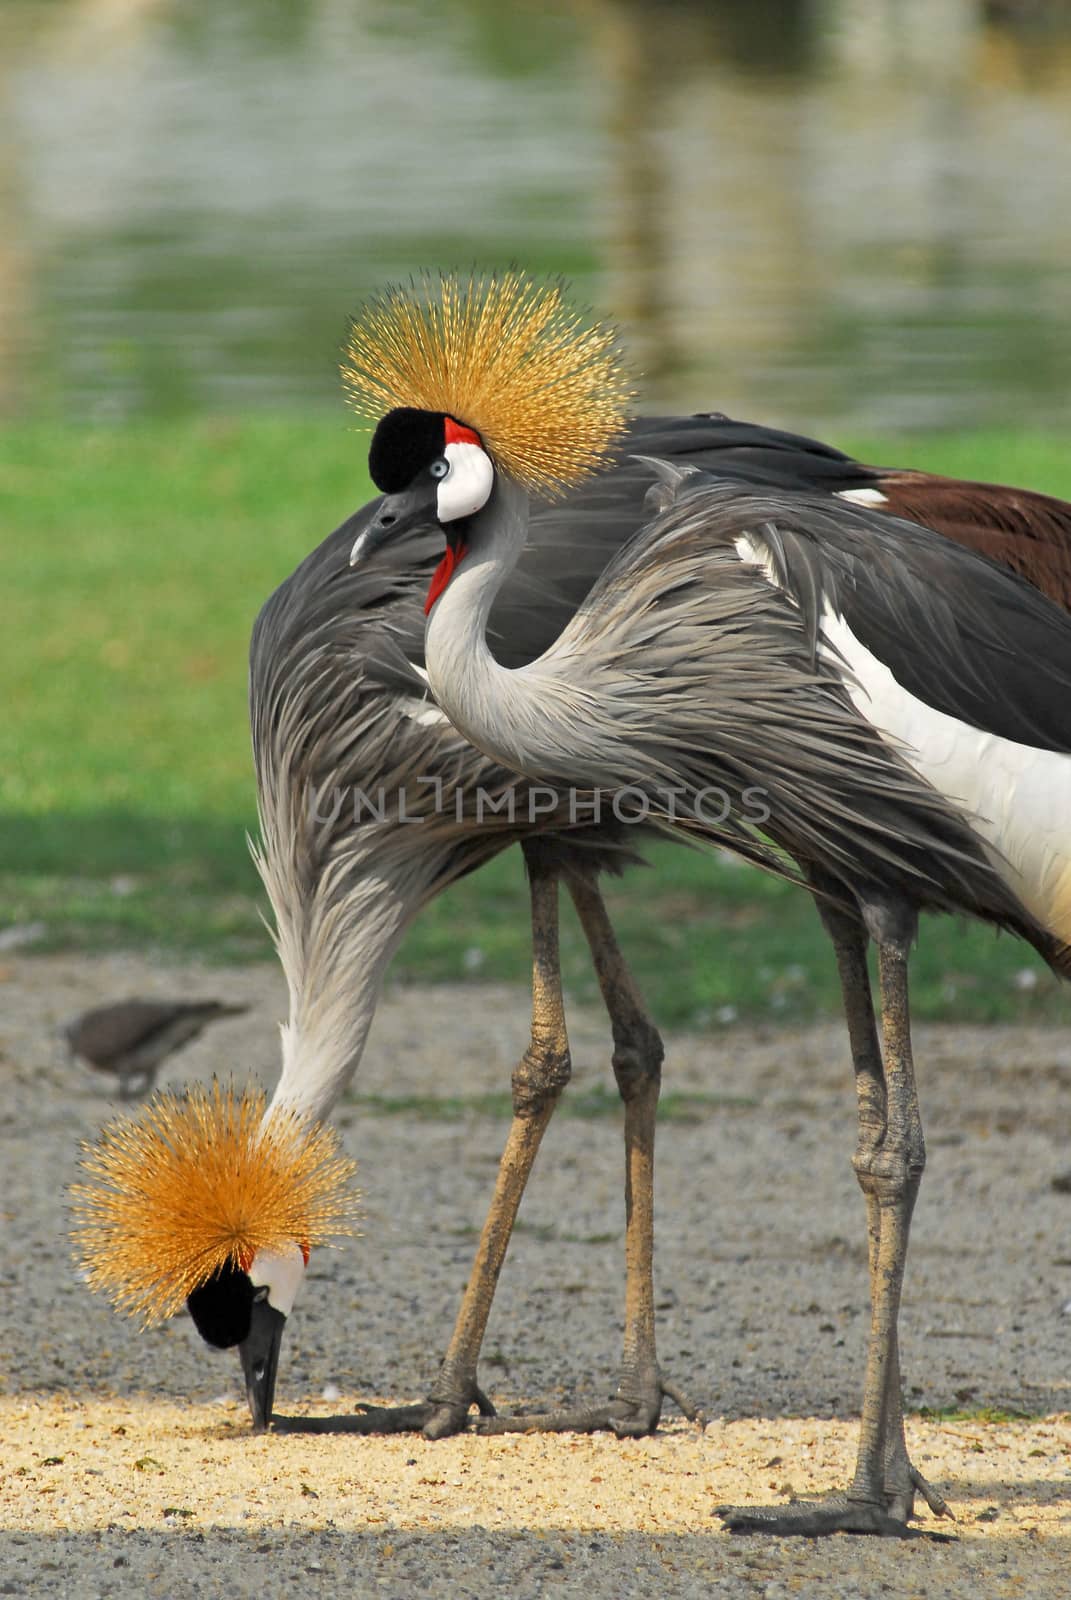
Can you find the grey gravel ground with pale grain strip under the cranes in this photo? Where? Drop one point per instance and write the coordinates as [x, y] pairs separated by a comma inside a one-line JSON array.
[[127, 1465]]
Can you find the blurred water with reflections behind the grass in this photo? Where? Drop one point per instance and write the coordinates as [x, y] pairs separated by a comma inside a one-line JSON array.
[[809, 212]]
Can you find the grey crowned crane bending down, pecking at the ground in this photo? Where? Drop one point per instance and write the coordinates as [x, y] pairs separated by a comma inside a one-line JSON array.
[[347, 878]]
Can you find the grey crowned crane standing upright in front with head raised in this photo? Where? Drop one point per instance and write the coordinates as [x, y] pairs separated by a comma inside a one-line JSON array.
[[902, 705]]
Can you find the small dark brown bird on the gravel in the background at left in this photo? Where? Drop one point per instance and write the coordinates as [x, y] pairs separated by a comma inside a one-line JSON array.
[[132, 1038]]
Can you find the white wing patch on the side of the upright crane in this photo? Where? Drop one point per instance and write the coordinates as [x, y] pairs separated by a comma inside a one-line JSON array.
[[1017, 798]]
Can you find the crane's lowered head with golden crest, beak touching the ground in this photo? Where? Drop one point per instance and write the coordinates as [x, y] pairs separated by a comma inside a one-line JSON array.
[[211, 1204]]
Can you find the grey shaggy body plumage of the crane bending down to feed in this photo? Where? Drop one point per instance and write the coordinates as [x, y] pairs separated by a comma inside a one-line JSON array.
[[335, 700]]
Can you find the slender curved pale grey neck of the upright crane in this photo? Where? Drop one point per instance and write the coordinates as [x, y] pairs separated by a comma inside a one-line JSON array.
[[483, 700]]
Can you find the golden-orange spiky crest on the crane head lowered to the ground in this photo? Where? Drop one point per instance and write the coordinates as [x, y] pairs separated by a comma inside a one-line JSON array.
[[198, 1183]]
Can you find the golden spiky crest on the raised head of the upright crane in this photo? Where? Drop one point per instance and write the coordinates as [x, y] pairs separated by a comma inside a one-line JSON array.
[[502, 354]]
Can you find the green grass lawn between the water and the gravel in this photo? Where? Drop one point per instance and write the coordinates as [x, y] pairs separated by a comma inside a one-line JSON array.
[[135, 562]]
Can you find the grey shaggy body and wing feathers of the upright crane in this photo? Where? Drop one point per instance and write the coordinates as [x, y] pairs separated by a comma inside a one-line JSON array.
[[777, 718]]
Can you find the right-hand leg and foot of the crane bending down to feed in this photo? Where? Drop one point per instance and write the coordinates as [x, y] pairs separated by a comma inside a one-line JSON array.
[[638, 1057]]
